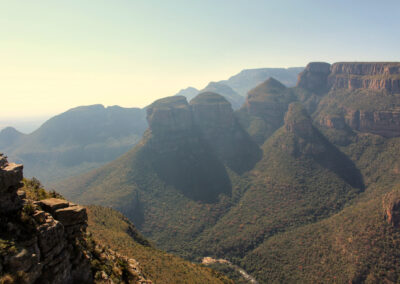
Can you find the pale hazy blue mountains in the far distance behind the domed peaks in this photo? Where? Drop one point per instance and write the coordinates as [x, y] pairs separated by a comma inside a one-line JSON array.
[[86, 137]]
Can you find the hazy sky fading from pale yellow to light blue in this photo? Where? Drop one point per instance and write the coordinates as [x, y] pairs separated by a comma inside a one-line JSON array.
[[55, 55]]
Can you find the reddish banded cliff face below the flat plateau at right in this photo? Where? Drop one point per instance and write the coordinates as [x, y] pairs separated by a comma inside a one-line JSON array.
[[363, 84]]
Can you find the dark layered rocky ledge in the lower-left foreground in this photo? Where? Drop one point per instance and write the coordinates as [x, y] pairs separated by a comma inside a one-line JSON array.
[[45, 241]]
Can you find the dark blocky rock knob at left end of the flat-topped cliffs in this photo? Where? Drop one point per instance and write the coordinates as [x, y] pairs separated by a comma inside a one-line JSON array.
[[314, 77]]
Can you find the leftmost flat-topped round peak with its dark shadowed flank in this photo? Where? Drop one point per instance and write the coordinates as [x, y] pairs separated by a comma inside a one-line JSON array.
[[179, 152]]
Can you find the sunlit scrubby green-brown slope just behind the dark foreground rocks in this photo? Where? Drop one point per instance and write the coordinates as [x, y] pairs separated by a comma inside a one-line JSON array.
[[111, 228]]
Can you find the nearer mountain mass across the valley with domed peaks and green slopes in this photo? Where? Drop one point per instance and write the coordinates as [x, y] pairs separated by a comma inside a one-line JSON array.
[[298, 185]]
